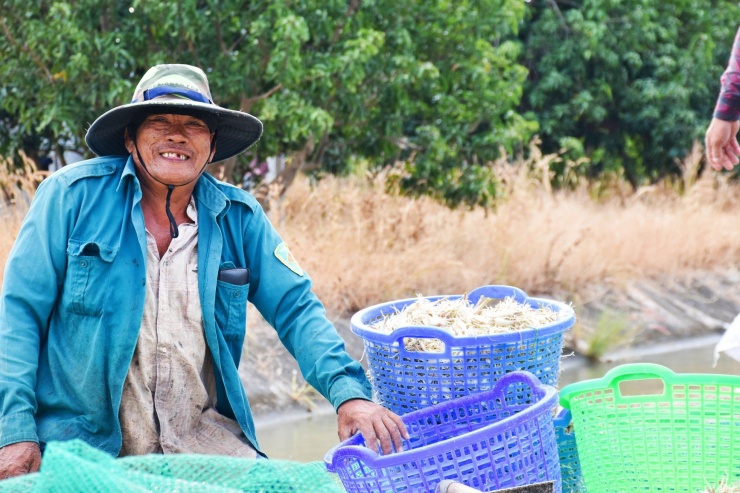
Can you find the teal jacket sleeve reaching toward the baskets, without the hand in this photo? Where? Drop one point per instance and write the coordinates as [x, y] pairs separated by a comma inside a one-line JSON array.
[[286, 301]]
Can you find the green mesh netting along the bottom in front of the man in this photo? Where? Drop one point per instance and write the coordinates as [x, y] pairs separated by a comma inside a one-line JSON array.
[[74, 466]]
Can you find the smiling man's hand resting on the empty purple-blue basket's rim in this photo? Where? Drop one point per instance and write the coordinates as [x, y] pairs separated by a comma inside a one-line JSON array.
[[376, 423]]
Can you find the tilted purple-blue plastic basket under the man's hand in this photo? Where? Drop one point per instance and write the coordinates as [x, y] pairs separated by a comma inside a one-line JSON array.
[[492, 440]]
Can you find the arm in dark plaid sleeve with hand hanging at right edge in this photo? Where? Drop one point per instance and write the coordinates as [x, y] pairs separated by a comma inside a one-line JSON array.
[[723, 150]]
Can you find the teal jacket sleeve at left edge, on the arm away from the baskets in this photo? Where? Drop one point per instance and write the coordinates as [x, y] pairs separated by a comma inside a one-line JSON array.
[[31, 283]]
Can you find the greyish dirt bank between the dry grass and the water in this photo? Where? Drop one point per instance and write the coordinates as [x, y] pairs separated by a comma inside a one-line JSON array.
[[611, 316]]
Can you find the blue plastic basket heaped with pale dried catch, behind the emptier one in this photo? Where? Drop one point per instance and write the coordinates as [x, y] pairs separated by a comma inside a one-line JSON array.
[[405, 381]]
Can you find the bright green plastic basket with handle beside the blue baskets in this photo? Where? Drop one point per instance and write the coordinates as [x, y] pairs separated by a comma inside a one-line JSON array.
[[681, 434]]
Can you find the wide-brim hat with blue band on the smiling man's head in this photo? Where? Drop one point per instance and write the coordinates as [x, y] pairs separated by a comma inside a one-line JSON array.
[[178, 89]]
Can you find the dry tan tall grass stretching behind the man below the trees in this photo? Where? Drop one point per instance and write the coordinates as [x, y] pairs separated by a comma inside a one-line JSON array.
[[363, 245]]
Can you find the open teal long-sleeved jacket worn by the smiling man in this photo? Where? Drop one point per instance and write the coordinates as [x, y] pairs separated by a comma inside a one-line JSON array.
[[73, 297]]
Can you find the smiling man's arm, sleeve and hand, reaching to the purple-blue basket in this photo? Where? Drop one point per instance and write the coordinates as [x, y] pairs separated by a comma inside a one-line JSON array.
[[284, 298]]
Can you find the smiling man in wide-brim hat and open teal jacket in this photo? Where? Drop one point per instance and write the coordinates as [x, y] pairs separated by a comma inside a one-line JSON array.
[[123, 308]]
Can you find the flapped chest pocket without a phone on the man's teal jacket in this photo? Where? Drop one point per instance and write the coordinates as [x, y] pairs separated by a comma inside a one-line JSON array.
[[88, 269]]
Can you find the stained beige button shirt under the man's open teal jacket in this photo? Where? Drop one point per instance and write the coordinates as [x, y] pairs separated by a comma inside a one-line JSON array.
[[169, 396]]
